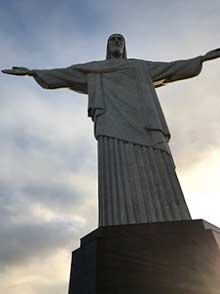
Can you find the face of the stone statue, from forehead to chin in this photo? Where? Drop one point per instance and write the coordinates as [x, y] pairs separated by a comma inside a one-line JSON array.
[[116, 45]]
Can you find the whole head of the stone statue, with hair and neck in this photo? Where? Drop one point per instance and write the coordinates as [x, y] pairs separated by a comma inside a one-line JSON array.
[[116, 47]]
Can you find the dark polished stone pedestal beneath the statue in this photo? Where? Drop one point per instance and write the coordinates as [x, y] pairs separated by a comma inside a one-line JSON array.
[[178, 257]]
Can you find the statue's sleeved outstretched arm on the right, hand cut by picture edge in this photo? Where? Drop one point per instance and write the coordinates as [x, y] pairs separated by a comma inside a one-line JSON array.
[[163, 73]]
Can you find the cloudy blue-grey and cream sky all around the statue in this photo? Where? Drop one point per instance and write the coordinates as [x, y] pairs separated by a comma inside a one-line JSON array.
[[48, 175]]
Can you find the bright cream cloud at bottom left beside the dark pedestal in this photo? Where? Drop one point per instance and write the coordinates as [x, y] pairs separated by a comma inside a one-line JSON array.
[[43, 275]]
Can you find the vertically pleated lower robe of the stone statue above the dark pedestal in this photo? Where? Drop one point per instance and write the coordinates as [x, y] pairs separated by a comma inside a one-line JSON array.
[[137, 184]]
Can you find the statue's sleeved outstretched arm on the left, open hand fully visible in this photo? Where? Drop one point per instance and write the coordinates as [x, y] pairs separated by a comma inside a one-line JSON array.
[[54, 78]]
